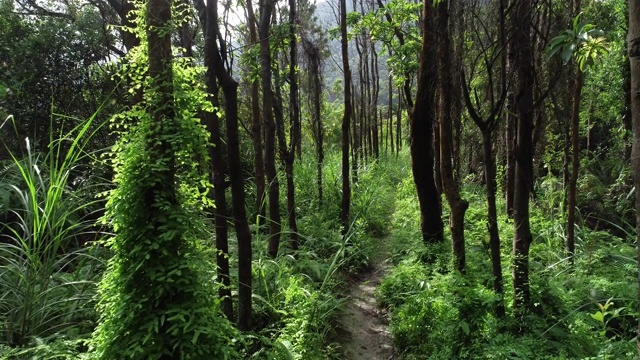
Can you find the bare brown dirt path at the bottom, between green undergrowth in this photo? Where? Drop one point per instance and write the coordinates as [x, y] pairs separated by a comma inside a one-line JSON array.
[[368, 336]]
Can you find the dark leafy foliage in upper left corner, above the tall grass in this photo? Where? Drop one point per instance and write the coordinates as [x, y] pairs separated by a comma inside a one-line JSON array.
[[51, 65]]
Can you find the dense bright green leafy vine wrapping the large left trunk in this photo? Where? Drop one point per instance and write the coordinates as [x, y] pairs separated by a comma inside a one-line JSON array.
[[157, 298]]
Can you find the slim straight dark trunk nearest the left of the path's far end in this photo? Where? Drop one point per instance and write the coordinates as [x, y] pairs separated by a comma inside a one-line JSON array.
[[346, 118]]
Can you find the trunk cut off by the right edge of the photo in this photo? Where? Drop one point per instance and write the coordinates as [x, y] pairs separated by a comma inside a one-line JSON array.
[[633, 47]]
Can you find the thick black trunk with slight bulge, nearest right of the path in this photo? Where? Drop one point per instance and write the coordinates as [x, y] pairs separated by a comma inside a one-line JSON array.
[[421, 127]]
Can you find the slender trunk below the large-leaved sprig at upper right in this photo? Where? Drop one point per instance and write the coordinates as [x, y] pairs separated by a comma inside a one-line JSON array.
[[575, 164]]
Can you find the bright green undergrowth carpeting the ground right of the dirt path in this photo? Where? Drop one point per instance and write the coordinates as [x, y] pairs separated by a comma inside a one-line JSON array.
[[585, 311]]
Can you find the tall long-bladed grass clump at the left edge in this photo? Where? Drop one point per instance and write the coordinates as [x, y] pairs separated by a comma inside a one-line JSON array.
[[46, 276]]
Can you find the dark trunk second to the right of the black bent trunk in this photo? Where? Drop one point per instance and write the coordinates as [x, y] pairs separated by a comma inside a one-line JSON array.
[[266, 10]]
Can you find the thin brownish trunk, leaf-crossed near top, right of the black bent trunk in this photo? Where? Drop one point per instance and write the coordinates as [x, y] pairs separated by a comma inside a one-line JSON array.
[[256, 126]]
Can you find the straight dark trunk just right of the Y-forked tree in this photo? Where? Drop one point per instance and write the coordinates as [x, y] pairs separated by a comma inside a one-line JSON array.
[[523, 63]]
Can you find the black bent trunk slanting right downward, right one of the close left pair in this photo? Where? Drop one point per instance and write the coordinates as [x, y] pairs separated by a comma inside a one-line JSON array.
[[230, 90]]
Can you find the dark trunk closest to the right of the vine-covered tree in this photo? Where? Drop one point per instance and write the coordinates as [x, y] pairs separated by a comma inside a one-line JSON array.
[[218, 165]]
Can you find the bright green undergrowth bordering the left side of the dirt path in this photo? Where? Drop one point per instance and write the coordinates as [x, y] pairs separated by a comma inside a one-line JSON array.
[[299, 295]]
